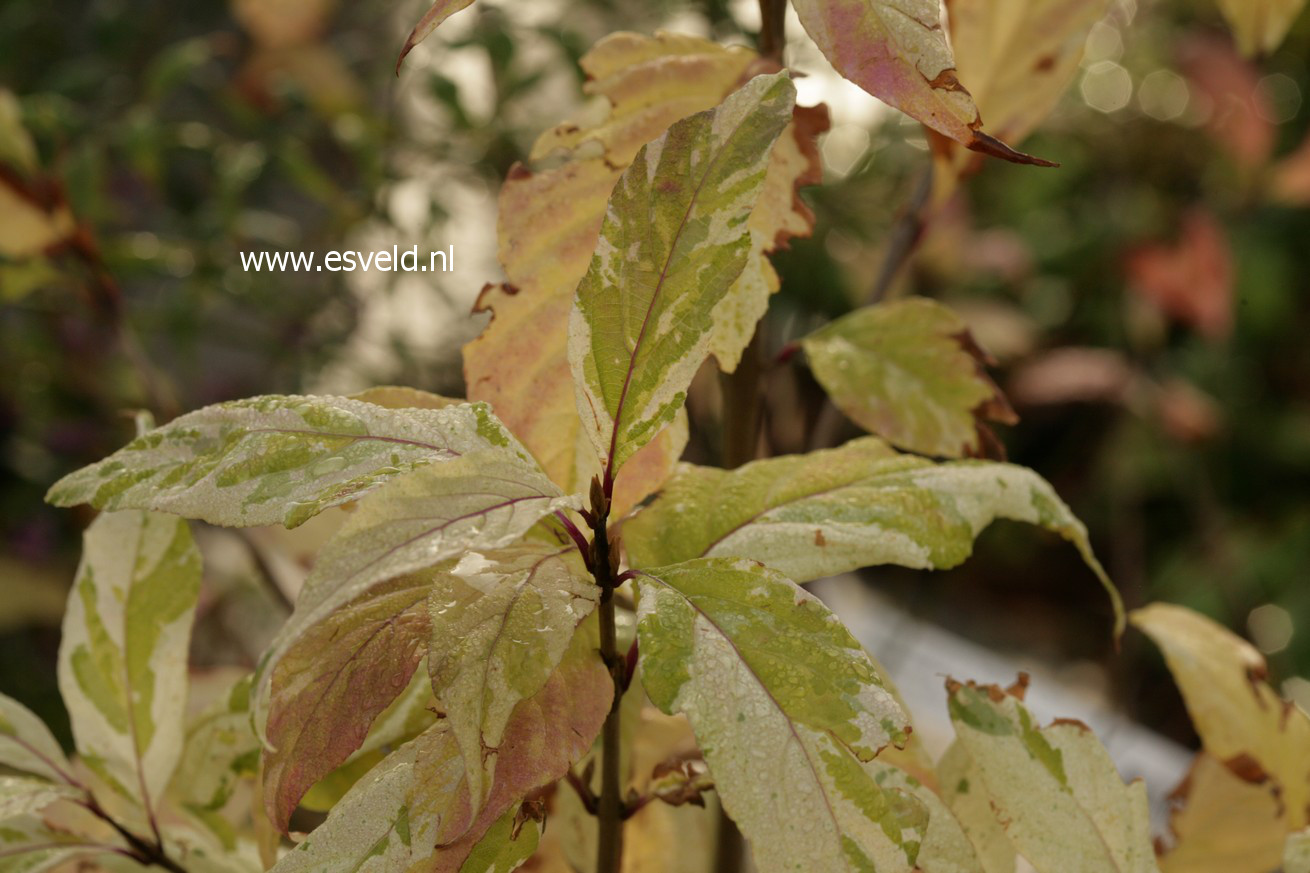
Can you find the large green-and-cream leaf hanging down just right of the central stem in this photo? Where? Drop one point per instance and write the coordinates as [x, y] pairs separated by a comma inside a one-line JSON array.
[[785, 707]]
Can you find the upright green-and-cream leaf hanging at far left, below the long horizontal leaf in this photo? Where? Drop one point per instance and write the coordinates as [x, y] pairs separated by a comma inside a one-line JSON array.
[[124, 655]]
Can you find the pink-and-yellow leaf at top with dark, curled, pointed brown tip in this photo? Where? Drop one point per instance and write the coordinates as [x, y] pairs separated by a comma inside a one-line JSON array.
[[897, 52]]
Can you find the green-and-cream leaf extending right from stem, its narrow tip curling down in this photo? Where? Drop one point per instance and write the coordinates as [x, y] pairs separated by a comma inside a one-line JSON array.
[[836, 511]]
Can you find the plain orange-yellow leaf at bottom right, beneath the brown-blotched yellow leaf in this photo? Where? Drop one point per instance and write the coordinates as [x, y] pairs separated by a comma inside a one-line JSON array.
[[1222, 824]]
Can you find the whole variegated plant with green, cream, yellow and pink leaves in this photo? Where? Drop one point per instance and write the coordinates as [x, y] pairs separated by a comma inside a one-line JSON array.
[[536, 640]]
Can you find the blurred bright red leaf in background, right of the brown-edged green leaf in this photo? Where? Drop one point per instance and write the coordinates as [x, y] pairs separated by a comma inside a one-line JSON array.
[[1191, 280]]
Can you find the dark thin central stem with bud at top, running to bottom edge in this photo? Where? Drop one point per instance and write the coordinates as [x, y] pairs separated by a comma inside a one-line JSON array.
[[610, 809]]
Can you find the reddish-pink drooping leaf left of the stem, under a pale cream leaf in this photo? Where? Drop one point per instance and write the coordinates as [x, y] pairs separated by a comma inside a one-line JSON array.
[[335, 681]]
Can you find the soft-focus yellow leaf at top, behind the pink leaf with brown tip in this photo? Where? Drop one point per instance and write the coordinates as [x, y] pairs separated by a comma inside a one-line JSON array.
[[1017, 61]]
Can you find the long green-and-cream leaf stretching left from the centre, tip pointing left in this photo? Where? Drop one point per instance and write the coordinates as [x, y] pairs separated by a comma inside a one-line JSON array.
[[277, 459]]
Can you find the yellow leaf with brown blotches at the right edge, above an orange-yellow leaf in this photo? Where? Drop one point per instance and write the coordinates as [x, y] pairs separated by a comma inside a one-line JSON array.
[[1241, 720]]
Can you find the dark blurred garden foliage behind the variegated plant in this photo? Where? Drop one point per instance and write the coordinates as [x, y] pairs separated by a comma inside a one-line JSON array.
[[1147, 303]]
